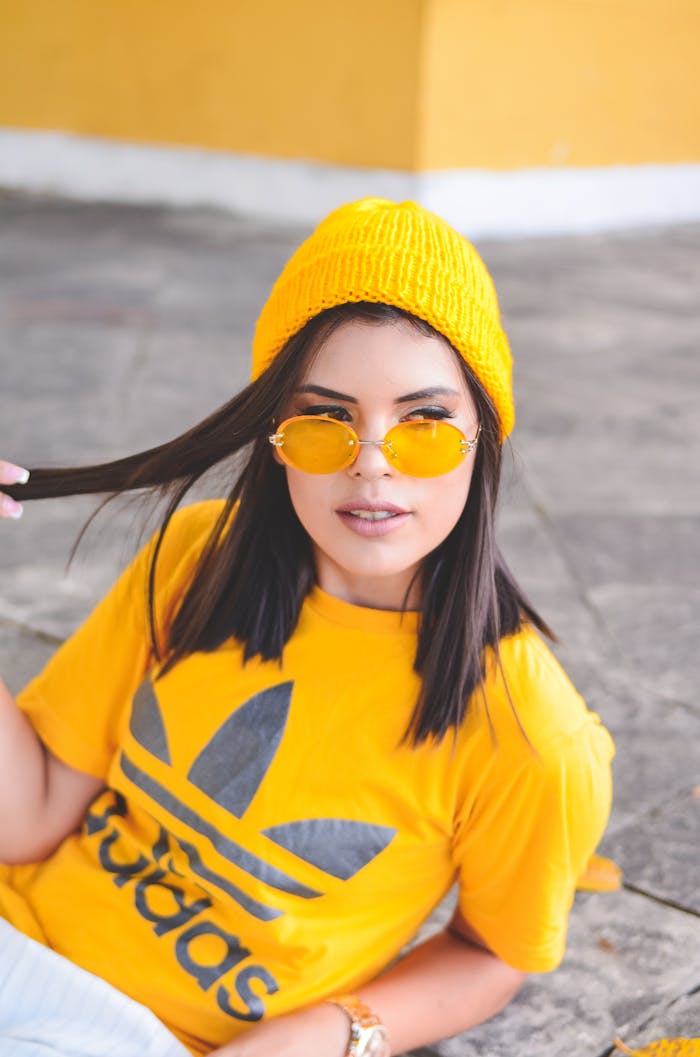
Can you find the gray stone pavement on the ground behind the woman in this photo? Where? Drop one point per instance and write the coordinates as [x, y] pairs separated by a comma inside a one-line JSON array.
[[120, 327]]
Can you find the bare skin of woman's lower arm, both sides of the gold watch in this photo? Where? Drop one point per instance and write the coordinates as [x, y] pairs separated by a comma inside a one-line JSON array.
[[446, 986]]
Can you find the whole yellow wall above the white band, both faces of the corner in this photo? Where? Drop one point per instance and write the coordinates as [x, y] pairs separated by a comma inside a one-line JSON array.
[[410, 85]]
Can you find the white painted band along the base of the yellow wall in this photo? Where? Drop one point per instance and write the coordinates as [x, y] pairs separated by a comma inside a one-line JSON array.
[[528, 202]]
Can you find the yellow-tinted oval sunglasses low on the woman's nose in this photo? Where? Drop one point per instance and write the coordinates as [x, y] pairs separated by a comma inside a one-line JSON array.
[[425, 448]]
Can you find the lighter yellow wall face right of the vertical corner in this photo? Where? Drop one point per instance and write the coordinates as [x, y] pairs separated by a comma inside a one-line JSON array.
[[513, 84]]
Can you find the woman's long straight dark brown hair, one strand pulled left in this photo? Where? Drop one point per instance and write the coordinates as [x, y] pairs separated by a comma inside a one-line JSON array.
[[257, 568]]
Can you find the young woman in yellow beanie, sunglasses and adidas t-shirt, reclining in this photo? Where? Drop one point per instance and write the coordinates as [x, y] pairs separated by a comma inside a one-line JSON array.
[[306, 711]]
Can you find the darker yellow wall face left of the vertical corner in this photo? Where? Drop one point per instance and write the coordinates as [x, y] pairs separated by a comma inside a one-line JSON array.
[[288, 79]]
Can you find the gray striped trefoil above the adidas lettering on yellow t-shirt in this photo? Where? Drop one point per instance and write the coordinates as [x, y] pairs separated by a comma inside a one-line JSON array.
[[230, 770]]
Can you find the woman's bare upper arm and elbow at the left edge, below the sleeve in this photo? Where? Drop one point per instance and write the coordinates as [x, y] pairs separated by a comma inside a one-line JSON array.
[[42, 800]]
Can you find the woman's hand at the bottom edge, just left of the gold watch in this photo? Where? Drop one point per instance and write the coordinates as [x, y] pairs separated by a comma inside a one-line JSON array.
[[321, 1031]]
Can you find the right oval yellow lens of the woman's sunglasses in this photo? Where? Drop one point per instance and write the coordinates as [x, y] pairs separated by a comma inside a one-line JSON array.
[[425, 449]]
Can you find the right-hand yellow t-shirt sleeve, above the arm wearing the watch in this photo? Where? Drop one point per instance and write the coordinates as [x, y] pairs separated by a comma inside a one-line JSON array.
[[527, 841]]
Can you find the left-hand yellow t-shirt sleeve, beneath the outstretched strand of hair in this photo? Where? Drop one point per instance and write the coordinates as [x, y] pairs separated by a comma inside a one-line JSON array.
[[79, 701]]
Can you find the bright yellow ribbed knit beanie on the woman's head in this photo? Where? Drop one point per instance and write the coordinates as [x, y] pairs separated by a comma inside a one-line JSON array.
[[401, 255]]
